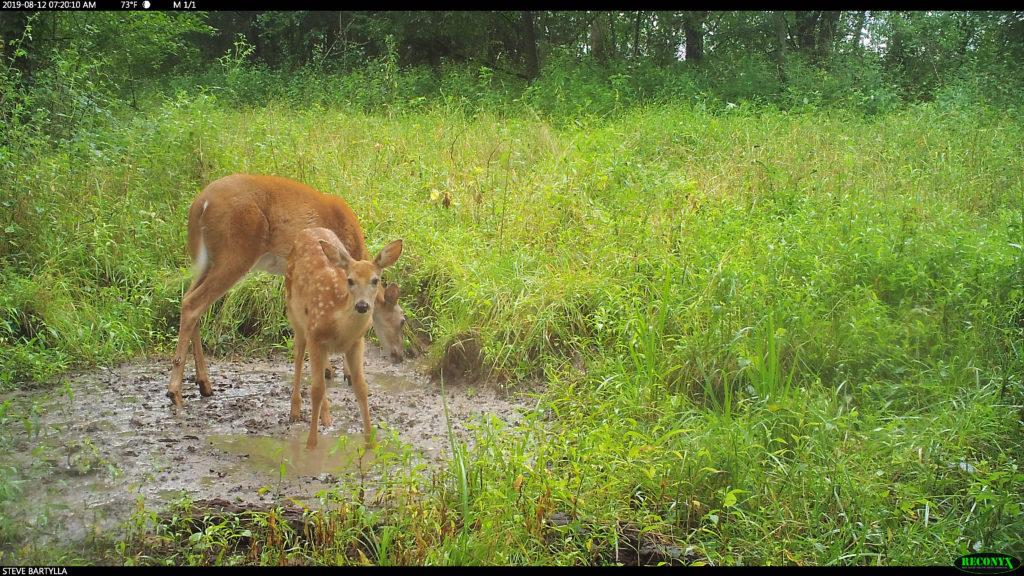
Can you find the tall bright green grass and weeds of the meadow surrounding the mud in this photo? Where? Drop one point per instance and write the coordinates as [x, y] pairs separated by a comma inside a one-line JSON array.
[[774, 338]]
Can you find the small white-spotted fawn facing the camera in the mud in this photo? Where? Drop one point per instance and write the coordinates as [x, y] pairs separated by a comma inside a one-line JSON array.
[[330, 300]]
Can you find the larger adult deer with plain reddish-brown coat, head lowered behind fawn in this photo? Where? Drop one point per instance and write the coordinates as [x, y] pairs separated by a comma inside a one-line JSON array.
[[243, 223]]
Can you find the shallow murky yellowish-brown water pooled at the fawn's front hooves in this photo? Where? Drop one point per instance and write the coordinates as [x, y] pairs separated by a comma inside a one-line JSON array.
[[333, 455]]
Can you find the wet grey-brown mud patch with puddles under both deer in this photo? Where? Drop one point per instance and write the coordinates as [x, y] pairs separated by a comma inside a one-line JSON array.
[[106, 438]]
